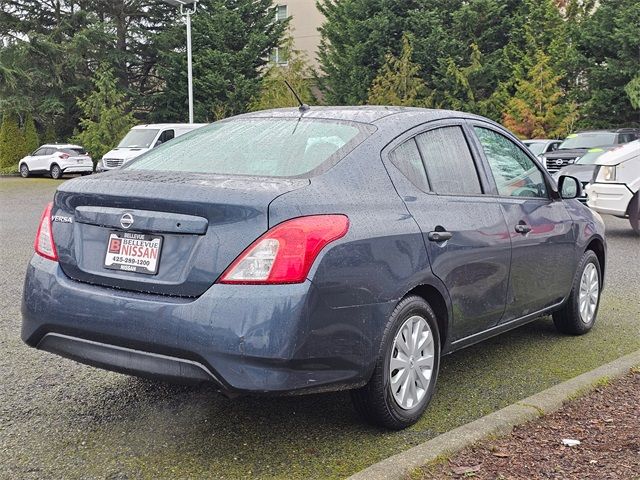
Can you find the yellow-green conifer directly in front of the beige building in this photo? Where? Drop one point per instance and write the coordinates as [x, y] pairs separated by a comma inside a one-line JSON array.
[[273, 91]]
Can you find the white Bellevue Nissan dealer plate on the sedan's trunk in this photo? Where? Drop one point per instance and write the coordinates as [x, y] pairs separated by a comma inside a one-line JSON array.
[[133, 252]]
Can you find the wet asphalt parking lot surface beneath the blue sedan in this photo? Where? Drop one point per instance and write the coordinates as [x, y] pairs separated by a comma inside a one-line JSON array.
[[59, 419]]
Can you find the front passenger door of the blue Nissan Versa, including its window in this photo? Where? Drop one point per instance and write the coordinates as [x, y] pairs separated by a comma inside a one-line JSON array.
[[541, 230]]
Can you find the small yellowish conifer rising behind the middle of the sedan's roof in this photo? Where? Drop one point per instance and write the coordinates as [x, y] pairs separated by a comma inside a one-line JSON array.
[[398, 82]]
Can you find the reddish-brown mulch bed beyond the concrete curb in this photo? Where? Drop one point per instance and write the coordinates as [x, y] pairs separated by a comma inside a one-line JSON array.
[[605, 422]]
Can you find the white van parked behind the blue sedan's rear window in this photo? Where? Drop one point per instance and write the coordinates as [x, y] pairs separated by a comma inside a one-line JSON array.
[[141, 139]]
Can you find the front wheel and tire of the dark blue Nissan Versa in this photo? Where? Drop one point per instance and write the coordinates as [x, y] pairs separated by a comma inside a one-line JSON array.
[[578, 314]]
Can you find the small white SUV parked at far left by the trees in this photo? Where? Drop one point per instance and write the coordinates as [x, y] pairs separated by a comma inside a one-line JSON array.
[[56, 160]]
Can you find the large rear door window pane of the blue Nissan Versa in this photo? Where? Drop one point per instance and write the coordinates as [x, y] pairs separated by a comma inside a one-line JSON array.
[[449, 164]]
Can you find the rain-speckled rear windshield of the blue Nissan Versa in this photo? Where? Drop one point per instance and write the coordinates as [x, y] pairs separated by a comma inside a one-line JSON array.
[[273, 147]]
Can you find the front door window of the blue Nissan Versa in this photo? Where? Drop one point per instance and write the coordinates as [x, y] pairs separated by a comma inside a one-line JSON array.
[[515, 174]]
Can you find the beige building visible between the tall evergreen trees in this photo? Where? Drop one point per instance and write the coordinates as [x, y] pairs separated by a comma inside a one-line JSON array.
[[304, 24]]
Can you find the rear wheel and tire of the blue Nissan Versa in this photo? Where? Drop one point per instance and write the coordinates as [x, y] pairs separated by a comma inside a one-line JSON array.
[[395, 398]]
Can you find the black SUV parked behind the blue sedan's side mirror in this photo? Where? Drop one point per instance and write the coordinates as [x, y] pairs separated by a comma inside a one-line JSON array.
[[577, 144]]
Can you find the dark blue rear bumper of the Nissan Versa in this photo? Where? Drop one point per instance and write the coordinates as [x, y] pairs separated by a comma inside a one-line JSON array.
[[245, 339]]
